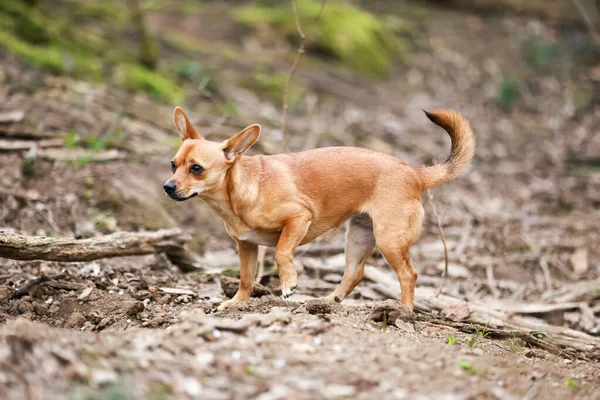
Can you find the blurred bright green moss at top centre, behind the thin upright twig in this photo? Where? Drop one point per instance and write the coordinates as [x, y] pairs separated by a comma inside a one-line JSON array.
[[357, 38]]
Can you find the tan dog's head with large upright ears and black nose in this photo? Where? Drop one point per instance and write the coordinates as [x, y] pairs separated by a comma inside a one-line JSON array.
[[200, 166]]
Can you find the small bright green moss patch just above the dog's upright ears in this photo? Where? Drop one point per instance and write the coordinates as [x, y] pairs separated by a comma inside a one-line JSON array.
[[137, 78]]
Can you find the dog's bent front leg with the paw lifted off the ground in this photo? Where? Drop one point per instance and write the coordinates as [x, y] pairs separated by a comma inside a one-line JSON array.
[[291, 236]]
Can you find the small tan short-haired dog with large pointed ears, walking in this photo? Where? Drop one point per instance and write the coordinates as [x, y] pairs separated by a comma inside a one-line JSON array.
[[287, 200]]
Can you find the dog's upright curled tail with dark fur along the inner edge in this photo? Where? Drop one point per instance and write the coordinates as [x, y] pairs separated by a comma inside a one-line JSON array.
[[461, 153]]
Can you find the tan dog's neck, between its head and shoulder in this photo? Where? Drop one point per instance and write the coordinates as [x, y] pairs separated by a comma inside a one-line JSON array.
[[238, 192]]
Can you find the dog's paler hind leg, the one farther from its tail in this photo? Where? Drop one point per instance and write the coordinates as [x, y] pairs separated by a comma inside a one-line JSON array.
[[359, 246]]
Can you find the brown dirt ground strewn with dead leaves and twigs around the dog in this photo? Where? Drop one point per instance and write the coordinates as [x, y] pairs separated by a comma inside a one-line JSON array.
[[521, 227]]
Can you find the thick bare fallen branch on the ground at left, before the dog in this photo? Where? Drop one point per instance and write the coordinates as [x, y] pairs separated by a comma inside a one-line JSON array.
[[171, 242]]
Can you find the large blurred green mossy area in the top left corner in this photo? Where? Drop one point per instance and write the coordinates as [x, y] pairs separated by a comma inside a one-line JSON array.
[[84, 39]]
